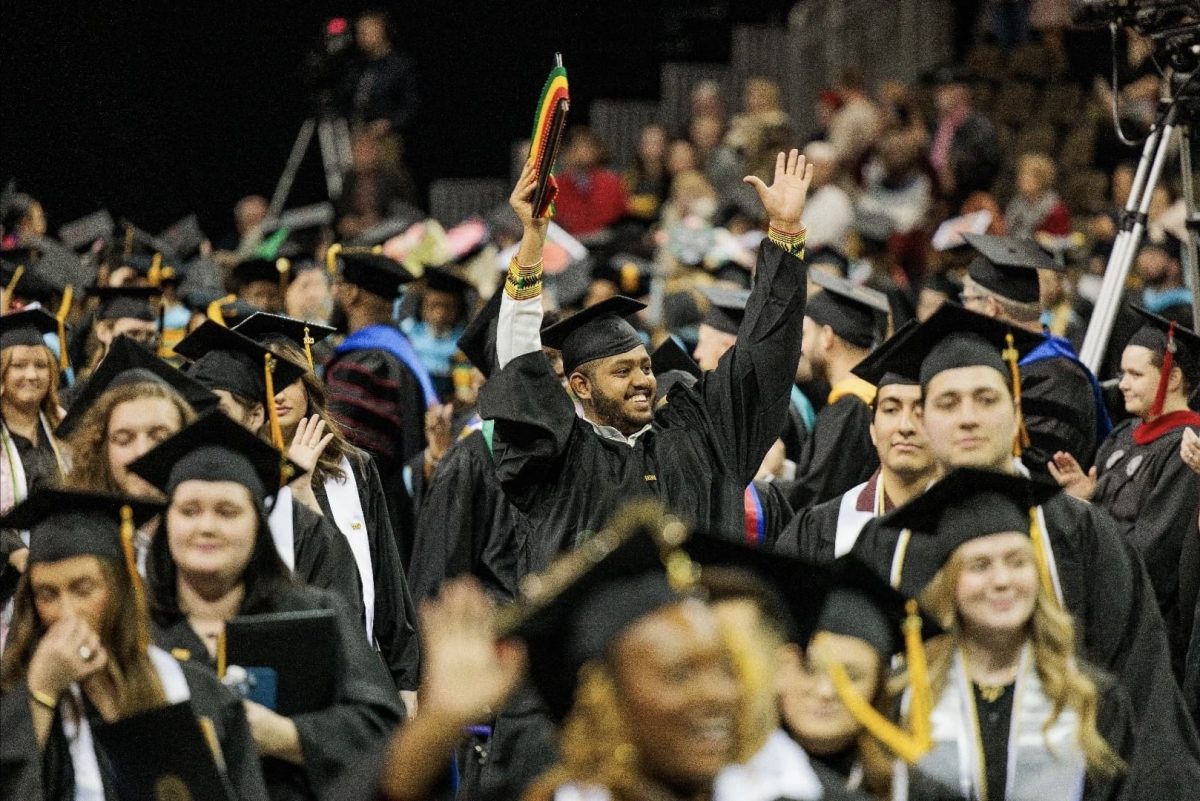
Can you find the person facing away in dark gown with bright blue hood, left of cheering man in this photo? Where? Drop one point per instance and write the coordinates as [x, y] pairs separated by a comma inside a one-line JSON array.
[[379, 387]]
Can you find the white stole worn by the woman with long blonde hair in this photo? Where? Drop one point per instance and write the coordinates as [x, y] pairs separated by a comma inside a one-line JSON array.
[[1041, 764]]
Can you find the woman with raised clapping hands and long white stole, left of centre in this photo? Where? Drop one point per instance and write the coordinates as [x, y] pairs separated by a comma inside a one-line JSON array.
[[350, 493]]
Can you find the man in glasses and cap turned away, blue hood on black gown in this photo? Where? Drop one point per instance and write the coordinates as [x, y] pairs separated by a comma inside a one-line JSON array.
[[1061, 400]]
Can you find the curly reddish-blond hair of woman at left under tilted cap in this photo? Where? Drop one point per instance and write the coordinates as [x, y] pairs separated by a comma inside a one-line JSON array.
[[89, 443]]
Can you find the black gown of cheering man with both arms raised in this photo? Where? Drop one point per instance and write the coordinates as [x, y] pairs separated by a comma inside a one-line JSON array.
[[701, 451]]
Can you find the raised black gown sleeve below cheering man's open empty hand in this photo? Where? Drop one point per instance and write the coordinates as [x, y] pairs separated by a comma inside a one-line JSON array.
[[749, 394]]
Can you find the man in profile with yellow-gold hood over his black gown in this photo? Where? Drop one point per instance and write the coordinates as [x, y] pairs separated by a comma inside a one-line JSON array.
[[842, 324]]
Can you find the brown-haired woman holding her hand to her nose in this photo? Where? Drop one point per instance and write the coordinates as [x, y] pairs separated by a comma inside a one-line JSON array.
[[80, 655]]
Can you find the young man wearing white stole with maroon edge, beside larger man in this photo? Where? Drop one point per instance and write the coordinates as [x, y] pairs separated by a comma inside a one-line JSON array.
[[829, 531]]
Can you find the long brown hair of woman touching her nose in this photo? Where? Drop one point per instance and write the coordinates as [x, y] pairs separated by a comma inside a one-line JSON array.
[[127, 625]]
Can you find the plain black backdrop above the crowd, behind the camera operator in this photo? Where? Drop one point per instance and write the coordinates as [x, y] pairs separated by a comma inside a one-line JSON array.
[[159, 111]]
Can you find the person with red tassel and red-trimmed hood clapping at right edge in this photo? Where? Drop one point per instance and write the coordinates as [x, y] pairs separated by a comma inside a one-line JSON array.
[[1141, 478]]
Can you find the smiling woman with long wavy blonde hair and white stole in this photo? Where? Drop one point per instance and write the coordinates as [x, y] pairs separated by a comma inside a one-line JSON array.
[[1017, 714]]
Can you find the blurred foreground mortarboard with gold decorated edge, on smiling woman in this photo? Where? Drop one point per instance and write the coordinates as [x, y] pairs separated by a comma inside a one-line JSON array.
[[574, 611]]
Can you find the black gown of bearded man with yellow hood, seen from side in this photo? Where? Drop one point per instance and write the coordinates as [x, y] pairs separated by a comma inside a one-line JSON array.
[[837, 456]]
